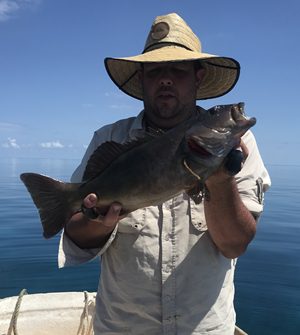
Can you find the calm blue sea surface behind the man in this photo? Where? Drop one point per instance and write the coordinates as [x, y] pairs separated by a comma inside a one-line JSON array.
[[267, 276]]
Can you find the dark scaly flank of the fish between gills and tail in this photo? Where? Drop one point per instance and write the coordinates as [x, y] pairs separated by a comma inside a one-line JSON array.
[[148, 173]]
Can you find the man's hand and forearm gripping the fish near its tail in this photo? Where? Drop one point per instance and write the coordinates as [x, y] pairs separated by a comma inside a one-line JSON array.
[[92, 233]]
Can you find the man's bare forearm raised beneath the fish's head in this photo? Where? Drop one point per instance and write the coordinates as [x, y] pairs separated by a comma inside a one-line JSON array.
[[229, 222]]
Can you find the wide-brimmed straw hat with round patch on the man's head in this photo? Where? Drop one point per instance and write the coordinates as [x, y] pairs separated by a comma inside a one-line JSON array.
[[171, 39]]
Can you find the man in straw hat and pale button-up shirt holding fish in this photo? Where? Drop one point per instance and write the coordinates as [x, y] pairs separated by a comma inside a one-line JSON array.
[[169, 269]]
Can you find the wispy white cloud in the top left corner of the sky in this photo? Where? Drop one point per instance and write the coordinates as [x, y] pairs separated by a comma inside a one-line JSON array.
[[8, 8]]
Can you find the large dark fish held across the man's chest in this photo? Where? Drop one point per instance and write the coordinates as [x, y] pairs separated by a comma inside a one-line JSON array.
[[146, 171]]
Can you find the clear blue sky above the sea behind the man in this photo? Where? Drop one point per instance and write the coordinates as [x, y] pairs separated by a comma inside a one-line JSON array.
[[54, 91]]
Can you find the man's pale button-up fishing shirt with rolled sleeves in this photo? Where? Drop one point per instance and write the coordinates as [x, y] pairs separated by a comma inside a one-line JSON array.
[[161, 273]]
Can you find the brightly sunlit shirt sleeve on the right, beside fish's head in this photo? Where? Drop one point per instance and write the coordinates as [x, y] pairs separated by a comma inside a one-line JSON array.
[[253, 180]]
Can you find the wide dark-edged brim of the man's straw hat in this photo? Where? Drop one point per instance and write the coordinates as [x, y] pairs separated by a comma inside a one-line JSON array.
[[221, 73]]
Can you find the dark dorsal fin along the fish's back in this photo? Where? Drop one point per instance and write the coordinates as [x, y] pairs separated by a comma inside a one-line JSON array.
[[106, 153]]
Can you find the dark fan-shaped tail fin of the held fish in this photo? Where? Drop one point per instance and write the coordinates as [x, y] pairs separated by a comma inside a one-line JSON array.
[[53, 199]]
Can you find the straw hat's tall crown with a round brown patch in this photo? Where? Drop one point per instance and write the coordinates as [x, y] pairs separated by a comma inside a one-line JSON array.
[[171, 29]]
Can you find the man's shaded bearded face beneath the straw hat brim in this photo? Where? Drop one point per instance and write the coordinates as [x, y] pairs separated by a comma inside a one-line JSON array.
[[170, 91]]
